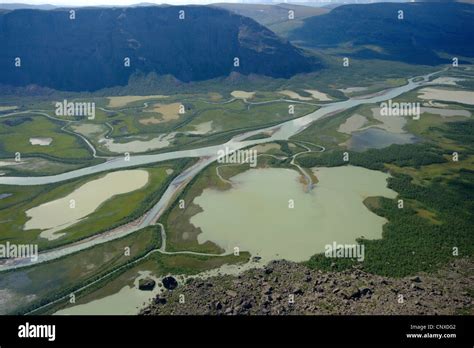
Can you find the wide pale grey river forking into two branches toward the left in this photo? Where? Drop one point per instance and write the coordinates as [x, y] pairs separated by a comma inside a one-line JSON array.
[[207, 155]]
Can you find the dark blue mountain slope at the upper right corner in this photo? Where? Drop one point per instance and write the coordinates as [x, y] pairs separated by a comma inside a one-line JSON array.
[[374, 31]]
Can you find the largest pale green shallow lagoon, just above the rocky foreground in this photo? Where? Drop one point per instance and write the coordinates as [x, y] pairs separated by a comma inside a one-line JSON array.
[[254, 214]]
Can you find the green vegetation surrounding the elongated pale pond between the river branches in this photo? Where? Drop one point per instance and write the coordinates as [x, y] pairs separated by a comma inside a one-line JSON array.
[[115, 212]]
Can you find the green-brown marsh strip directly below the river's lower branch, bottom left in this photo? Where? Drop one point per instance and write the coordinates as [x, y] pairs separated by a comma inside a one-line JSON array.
[[48, 281]]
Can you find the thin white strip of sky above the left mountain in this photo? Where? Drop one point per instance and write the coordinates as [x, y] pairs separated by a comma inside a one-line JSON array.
[[110, 2]]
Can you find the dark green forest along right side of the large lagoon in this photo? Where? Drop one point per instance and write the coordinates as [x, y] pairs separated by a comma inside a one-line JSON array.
[[410, 242]]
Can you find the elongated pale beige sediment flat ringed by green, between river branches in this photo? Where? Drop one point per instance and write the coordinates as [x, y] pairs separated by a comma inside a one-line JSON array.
[[56, 215]]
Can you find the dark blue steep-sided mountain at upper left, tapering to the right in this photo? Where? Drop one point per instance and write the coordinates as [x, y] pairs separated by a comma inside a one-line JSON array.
[[88, 53]]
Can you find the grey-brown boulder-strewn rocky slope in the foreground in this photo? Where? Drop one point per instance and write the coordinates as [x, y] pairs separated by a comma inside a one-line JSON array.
[[283, 288]]
